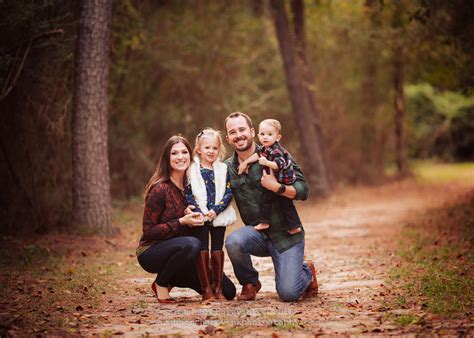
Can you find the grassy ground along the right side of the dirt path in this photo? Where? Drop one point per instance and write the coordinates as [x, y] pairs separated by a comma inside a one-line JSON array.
[[436, 262]]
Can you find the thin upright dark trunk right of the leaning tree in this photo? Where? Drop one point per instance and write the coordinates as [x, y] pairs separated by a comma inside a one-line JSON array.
[[399, 97]]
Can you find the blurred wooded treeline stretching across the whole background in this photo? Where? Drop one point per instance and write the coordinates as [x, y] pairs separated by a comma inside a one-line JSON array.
[[386, 81]]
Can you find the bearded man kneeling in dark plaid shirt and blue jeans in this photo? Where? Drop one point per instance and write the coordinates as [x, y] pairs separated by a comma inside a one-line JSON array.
[[294, 278]]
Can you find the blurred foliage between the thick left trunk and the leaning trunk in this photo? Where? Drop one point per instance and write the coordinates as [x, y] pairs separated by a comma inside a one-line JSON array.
[[179, 69]]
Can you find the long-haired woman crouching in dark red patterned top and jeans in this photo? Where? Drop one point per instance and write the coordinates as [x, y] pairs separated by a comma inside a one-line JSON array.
[[166, 247]]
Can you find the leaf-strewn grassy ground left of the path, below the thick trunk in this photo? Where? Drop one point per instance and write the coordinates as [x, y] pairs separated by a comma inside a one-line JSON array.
[[54, 284]]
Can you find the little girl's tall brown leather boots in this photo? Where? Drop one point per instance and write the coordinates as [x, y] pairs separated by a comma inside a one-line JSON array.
[[209, 291]]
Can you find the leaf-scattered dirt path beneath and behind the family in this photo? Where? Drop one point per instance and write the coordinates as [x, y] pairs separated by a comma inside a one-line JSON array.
[[350, 236]]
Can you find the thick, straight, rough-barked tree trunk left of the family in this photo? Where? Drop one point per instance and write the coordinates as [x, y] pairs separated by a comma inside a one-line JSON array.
[[91, 182]]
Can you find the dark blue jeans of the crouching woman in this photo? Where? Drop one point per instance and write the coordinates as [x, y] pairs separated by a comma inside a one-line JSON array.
[[174, 260]]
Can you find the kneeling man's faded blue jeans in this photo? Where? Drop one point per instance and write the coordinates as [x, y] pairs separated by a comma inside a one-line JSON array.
[[292, 276]]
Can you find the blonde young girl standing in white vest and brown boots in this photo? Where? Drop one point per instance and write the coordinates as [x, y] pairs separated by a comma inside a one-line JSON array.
[[208, 190]]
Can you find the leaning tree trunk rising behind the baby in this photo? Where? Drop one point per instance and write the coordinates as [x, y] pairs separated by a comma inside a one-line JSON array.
[[301, 97]]
